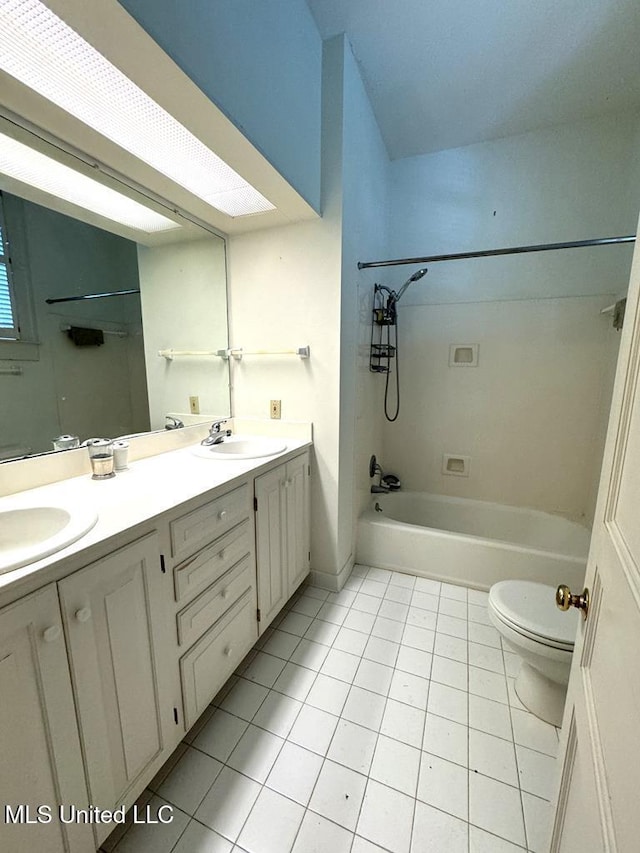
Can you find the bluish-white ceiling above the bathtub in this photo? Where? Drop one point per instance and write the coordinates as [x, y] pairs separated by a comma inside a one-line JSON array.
[[447, 73]]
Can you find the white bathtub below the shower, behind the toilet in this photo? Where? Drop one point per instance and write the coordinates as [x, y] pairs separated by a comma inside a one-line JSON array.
[[475, 543]]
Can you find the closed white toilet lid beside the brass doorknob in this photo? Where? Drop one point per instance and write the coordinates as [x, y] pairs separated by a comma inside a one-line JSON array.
[[530, 609]]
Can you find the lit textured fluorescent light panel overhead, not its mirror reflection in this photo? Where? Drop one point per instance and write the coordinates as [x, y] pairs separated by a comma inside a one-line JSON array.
[[41, 51]]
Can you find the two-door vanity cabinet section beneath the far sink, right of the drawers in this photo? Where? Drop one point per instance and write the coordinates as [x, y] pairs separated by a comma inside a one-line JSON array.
[[282, 534]]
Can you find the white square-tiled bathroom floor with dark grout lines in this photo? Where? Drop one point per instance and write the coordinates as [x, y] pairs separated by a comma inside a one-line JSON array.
[[381, 718]]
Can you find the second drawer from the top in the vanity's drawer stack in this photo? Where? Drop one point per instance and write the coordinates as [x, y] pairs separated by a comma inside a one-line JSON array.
[[207, 565]]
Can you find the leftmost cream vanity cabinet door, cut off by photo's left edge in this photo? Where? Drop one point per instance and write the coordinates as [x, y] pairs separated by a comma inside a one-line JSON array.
[[39, 747]]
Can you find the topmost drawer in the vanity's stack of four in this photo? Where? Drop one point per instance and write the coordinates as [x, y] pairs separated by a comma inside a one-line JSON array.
[[202, 525]]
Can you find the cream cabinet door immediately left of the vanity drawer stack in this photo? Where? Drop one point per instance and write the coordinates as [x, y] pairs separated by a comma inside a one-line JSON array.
[[108, 609]]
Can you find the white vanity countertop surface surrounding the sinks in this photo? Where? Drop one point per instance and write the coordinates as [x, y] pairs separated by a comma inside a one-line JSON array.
[[150, 487]]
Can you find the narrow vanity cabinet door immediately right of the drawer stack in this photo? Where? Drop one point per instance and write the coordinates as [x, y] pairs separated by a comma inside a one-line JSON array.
[[271, 547]]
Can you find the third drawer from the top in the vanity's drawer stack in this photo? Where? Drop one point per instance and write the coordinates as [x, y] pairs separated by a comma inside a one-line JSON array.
[[210, 605]]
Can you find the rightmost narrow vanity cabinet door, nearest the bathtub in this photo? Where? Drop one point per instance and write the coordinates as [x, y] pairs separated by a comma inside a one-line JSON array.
[[297, 500]]
